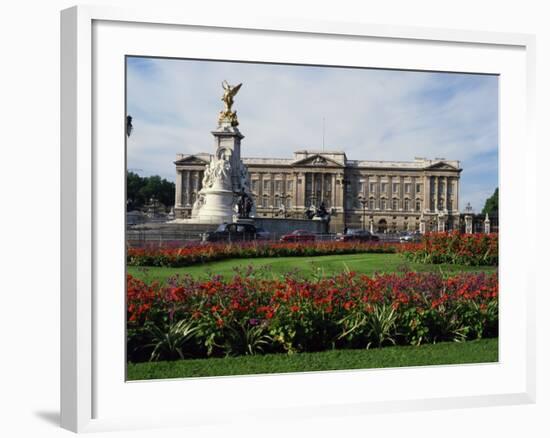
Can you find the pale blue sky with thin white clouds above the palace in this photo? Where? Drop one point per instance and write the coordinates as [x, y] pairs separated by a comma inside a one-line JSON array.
[[371, 114]]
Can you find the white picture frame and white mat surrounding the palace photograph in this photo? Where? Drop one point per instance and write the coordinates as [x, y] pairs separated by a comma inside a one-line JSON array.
[[92, 383]]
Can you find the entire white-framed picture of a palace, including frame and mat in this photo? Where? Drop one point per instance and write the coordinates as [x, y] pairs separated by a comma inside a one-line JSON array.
[[291, 218]]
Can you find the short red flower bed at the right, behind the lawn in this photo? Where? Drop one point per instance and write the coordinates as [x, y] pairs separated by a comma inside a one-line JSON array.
[[455, 248]]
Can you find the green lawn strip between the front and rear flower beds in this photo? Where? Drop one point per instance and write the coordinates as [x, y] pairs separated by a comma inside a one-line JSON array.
[[305, 266]]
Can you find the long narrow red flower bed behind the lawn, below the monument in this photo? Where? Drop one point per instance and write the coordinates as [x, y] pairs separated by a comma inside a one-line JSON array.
[[190, 255]]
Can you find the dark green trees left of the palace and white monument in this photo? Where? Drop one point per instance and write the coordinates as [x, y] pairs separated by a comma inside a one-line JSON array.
[[139, 190]]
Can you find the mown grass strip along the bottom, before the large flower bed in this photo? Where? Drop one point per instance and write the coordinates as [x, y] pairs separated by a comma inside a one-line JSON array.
[[445, 353]]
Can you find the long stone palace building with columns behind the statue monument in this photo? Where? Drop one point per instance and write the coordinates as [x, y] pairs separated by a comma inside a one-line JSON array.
[[383, 196]]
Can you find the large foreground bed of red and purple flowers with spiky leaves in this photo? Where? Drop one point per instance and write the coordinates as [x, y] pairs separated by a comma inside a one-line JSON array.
[[254, 315]]
